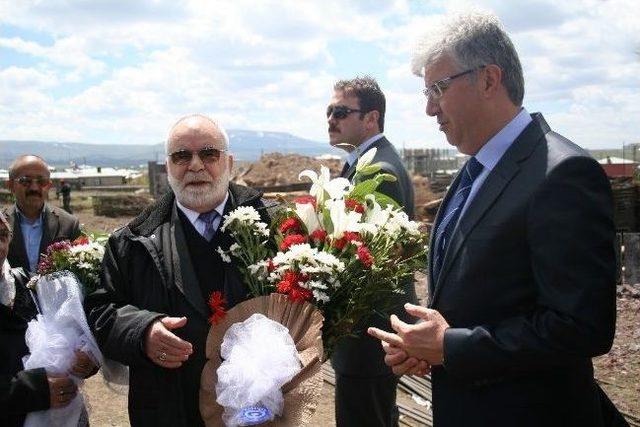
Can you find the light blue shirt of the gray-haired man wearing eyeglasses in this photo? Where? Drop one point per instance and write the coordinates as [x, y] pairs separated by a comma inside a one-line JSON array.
[[491, 153]]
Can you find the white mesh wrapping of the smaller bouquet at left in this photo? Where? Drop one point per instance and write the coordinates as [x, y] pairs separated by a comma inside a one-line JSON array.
[[53, 337]]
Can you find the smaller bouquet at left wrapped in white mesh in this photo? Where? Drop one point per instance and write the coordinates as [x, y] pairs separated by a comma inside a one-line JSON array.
[[66, 273]]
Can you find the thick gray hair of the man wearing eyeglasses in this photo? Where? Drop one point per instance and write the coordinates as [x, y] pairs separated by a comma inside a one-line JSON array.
[[471, 41]]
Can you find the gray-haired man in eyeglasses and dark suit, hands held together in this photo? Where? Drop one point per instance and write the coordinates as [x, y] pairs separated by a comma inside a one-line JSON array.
[[522, 263]]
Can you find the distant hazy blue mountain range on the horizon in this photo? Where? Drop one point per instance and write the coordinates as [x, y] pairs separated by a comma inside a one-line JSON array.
[[246, 145]]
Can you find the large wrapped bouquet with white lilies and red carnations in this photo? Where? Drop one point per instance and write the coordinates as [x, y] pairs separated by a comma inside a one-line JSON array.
[[338, 251]]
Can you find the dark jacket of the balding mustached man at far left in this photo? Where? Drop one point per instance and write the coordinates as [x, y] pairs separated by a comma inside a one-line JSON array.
[[57, 225]]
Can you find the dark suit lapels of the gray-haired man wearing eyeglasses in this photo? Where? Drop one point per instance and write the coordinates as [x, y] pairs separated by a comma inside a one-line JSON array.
[[494, 185]]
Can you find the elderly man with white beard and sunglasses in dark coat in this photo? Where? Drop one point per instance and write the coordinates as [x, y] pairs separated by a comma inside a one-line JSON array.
[[159, 271]]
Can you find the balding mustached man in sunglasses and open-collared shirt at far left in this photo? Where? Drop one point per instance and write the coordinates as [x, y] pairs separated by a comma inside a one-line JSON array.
[[36, 224]]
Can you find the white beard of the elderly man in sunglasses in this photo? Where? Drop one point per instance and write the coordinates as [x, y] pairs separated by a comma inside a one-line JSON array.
[[204, 197]]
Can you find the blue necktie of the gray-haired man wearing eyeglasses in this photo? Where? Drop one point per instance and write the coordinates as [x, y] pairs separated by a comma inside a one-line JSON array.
[[450, 218]]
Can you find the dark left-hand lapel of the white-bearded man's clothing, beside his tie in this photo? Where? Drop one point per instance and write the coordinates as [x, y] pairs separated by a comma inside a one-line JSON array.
[[185, 277]]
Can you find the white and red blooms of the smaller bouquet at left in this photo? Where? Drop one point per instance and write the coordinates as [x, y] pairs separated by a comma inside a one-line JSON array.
[[82, 257]]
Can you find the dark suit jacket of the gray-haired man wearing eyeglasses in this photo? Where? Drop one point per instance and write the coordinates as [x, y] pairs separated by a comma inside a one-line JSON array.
[[528, 287]]
